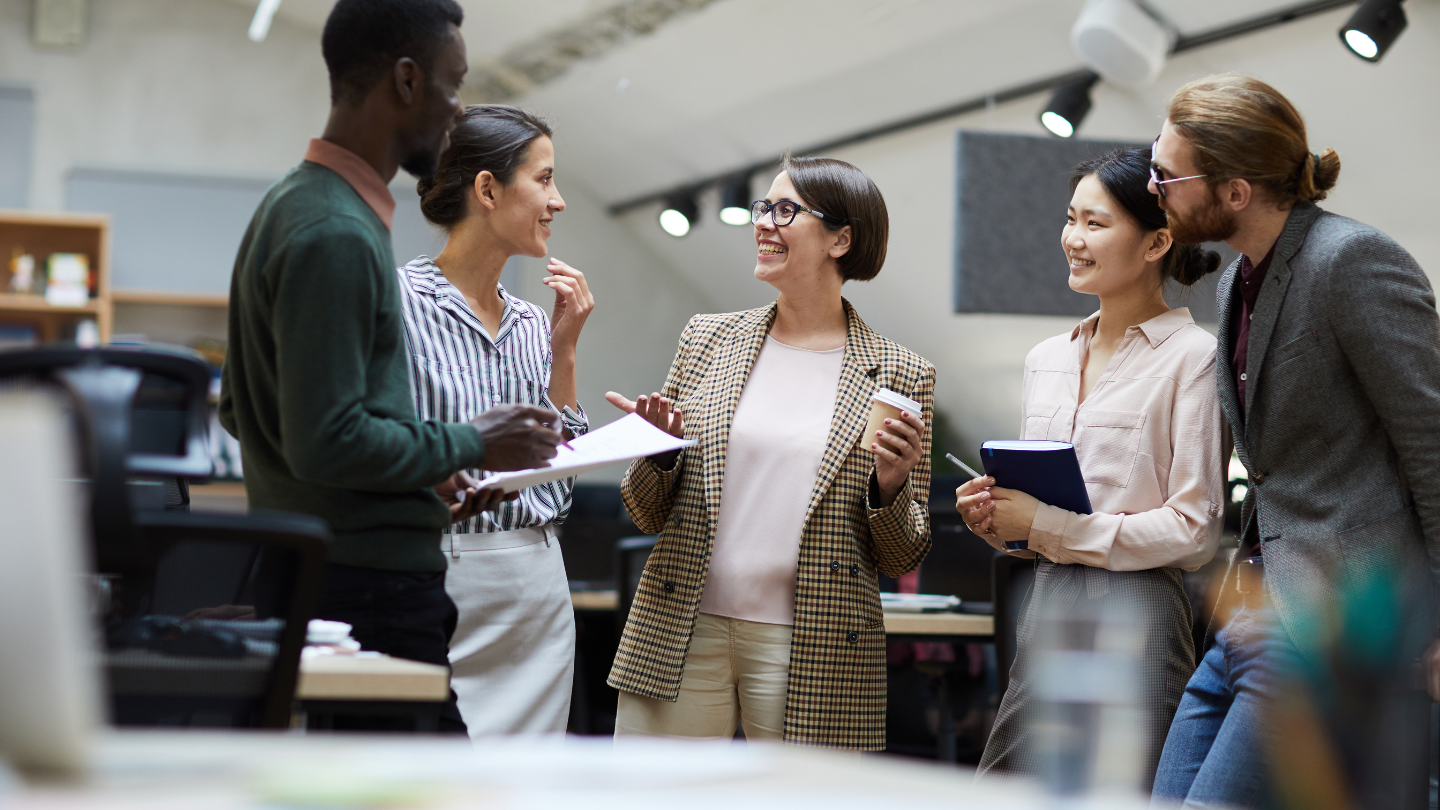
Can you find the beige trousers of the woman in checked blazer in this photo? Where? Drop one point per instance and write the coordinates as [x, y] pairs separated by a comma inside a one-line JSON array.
[[737, 672]]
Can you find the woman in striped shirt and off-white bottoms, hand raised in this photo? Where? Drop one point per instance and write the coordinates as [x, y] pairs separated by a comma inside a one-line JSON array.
[[474, 347]]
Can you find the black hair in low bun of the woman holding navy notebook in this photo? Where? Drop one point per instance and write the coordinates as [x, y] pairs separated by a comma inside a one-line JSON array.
[[1125, 175]]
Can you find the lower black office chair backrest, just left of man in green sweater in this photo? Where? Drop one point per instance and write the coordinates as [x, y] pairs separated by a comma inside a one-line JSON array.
[[212, 636]]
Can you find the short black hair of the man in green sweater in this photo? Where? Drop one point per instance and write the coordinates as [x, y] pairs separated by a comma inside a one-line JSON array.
[[364, 40]]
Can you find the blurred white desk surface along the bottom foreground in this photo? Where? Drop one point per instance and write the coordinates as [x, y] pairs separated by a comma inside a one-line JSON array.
[[251, 770]]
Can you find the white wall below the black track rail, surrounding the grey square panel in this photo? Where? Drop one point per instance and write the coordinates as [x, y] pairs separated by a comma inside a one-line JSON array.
[[1382, 119]]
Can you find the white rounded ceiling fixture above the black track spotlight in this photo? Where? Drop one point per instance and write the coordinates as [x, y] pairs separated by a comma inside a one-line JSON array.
[[1122, 41]]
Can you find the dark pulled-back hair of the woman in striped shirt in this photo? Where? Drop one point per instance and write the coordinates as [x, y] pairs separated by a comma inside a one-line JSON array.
[[489, 138]]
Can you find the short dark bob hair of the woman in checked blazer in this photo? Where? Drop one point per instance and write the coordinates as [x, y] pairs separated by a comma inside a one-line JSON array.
[[842, 191]]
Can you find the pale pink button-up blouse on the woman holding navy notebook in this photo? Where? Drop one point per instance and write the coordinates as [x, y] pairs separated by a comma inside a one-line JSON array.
[[1150, 445]]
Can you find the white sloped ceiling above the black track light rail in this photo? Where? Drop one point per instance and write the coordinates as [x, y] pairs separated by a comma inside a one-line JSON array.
[[741, 81]]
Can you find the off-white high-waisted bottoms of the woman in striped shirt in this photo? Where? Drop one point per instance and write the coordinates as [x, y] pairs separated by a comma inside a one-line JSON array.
[[513, 652]]
